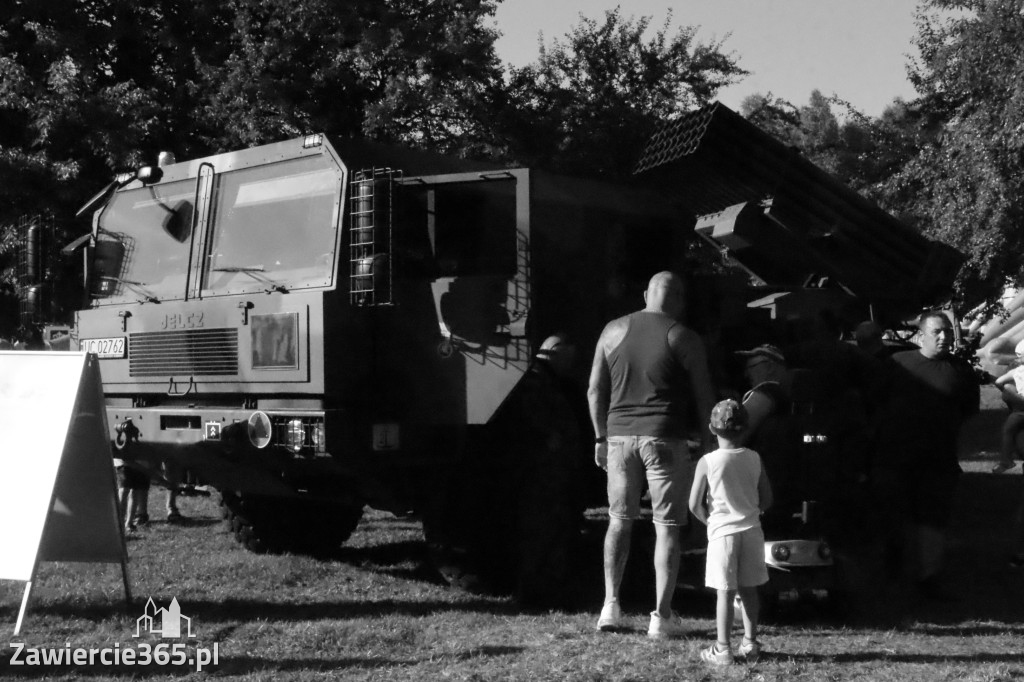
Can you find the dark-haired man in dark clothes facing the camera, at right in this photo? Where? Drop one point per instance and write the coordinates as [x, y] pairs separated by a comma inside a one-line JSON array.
[[930, 396]]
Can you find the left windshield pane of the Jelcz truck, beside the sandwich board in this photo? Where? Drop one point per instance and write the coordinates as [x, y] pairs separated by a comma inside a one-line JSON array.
[[144, 242]]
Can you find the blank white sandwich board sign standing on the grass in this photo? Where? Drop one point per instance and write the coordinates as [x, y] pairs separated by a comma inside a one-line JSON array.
[[58, 486]]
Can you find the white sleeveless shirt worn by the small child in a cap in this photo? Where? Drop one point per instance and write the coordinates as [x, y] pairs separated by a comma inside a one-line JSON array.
[[733, 491]]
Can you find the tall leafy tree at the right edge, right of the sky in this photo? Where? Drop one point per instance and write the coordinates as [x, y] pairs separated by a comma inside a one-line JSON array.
[[966, 184]]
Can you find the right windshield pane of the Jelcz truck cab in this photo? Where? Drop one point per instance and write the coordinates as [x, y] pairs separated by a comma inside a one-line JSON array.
[[275, 228]]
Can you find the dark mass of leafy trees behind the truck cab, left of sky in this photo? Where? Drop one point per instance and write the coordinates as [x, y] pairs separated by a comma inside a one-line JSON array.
[[94, 88]]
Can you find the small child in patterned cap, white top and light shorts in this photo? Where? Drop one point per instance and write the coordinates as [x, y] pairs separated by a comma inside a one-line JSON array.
[[733, 483]]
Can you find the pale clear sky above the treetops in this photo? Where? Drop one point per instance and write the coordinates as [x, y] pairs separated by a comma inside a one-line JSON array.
[[857, 50]]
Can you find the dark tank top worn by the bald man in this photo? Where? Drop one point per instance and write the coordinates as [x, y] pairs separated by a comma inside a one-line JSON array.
[[649, 387]]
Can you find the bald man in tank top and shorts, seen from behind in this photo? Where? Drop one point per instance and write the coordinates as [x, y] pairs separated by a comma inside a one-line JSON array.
[[648, 369]]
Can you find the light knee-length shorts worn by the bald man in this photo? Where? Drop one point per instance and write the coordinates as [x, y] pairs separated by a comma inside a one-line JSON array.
[[665, 462]]
